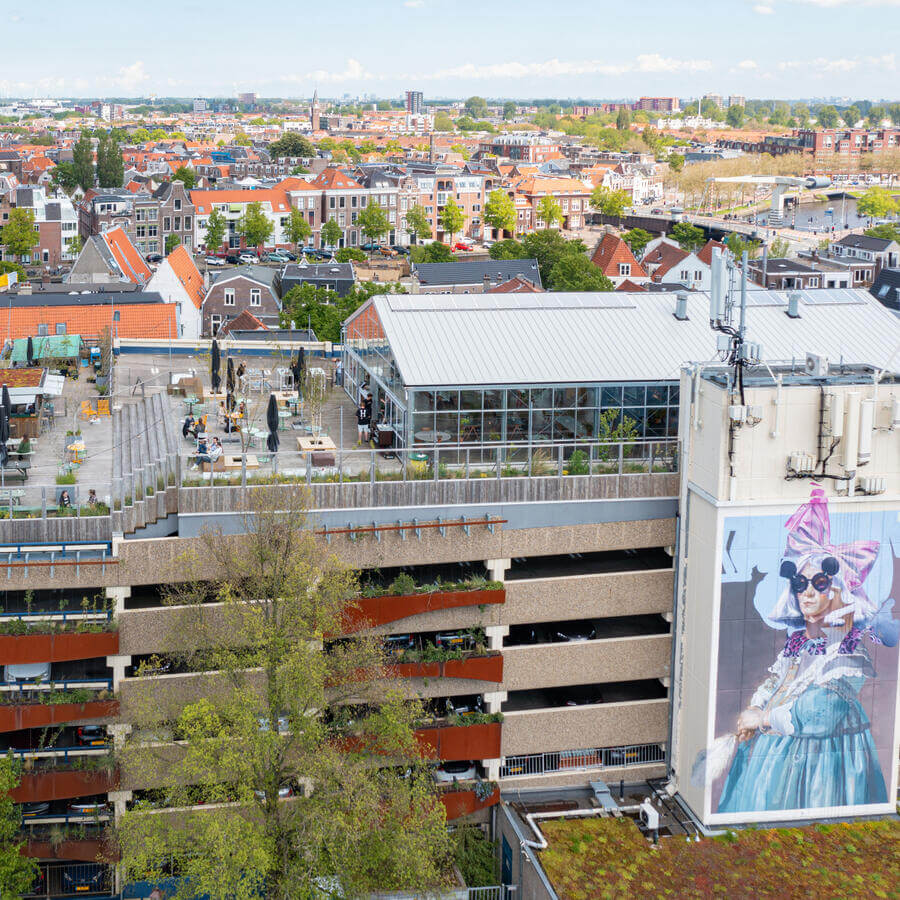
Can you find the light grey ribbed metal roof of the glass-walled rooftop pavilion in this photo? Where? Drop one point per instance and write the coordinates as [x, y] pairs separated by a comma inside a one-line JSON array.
[[558, 338]]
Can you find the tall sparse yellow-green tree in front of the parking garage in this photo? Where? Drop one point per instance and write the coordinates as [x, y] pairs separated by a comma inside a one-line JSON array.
[[280, 719]]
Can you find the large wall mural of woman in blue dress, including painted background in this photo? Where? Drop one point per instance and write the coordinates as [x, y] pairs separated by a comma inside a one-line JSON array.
[[808, 661]]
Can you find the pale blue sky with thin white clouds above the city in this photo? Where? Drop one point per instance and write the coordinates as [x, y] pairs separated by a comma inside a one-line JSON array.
[[453, 48]]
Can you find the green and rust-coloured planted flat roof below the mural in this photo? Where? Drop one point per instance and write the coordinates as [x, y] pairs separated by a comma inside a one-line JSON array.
[[610, 858]]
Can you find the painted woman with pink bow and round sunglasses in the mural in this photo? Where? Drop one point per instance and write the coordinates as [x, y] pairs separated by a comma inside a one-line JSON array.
[[805, 741]]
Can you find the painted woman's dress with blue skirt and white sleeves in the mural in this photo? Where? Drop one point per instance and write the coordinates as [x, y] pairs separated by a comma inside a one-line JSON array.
[[819, 750]]
